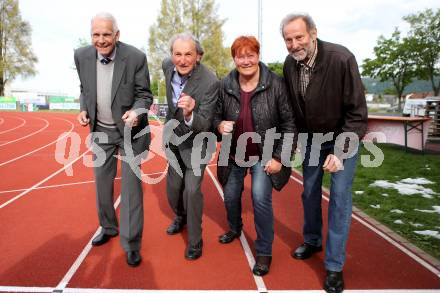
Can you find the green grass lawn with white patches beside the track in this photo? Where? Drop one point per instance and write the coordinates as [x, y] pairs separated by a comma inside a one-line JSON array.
[[378, 202]]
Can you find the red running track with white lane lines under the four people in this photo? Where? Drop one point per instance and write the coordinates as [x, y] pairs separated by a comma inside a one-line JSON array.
[[46, 231]]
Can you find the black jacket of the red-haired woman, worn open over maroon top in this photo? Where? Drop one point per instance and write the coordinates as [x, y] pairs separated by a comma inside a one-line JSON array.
[[270, 108]]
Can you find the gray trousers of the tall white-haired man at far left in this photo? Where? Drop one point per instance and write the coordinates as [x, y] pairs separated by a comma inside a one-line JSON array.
[[132, 212]]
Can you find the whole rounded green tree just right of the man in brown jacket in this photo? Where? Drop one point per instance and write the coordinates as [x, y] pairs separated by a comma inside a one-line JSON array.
[[394, 61]]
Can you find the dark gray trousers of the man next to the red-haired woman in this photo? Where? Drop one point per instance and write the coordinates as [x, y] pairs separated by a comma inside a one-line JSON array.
[[185, 197]]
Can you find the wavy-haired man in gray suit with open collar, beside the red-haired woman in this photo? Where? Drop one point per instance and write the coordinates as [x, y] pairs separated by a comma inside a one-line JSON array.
[[191, 96]]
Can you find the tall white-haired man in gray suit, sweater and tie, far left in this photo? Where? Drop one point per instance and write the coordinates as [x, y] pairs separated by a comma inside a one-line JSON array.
[[115, 85]]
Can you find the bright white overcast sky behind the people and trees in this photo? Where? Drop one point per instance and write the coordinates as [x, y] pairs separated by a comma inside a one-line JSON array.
[[58, 25]]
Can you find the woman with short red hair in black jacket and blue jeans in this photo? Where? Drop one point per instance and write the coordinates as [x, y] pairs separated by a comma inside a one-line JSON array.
[[252, 100]]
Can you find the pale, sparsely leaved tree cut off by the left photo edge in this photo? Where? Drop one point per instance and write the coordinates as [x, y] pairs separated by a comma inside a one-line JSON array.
[[16, 56]]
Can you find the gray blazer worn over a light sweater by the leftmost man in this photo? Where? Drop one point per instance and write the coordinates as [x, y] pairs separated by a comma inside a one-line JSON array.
[[130, 87]]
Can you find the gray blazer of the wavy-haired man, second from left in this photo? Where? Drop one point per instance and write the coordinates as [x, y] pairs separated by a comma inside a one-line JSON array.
[[203, 88]]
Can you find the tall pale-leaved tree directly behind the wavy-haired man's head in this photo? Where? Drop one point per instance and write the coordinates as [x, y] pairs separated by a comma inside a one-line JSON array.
[[198, 17]]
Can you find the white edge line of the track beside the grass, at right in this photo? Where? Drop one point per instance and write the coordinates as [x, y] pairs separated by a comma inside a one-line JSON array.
[[405, 250]]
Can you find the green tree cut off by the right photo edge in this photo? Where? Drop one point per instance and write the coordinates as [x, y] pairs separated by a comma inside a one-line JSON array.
[[425, 31]]
